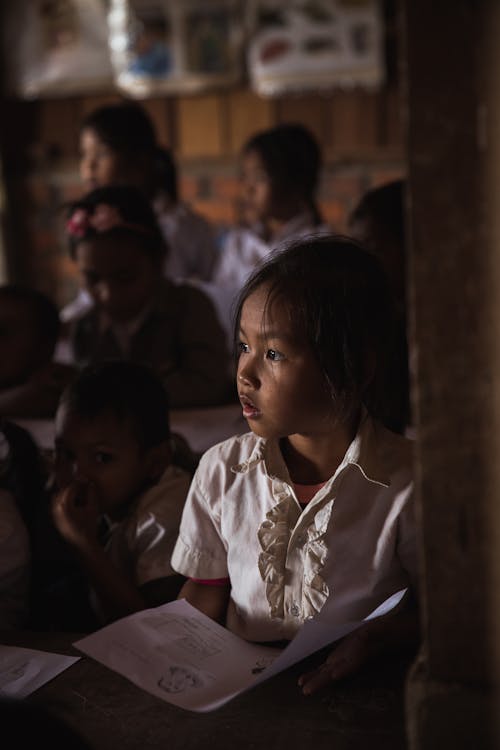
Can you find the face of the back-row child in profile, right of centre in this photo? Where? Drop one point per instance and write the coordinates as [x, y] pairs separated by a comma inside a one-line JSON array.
[[256, 189]]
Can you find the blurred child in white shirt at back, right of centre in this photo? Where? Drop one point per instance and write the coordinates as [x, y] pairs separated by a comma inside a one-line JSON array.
[[280, 171]]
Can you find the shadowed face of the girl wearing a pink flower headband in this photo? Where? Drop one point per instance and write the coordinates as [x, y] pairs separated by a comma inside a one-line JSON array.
[[120, 278]]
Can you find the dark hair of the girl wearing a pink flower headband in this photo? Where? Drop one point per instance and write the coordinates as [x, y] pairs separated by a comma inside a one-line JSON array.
[[135, 217]]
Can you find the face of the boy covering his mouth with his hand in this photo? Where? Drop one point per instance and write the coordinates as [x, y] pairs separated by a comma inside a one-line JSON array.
[[103, 452]]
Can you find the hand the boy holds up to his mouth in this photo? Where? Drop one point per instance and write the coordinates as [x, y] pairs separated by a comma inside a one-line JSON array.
[[76, 513]]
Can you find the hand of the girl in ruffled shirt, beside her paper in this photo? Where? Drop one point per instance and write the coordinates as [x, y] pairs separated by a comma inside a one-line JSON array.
[[348, 657]]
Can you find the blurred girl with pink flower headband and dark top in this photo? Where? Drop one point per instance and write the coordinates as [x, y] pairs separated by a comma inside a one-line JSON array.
[[137, 313]]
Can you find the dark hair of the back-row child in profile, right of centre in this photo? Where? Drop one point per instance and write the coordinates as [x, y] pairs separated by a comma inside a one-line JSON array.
[[292, 158]]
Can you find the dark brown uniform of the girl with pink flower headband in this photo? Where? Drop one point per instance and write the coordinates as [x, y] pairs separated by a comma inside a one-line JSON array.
[[178, 335]]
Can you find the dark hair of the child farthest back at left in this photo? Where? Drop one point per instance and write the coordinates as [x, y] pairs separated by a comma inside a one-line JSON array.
[[127, 129]]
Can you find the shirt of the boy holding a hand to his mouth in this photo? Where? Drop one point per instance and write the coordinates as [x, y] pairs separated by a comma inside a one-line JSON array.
[[141, 544]]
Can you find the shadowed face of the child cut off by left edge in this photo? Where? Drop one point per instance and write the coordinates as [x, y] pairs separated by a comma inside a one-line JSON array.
[[19, 348]]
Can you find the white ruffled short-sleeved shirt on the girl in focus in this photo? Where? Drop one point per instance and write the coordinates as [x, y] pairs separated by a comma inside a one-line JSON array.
[[351, 547]]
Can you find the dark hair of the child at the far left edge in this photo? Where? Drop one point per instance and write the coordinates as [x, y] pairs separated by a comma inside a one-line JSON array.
[[44, 313]]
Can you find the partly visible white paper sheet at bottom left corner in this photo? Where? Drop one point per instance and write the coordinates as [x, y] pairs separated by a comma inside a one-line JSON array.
[[23, 670]]
